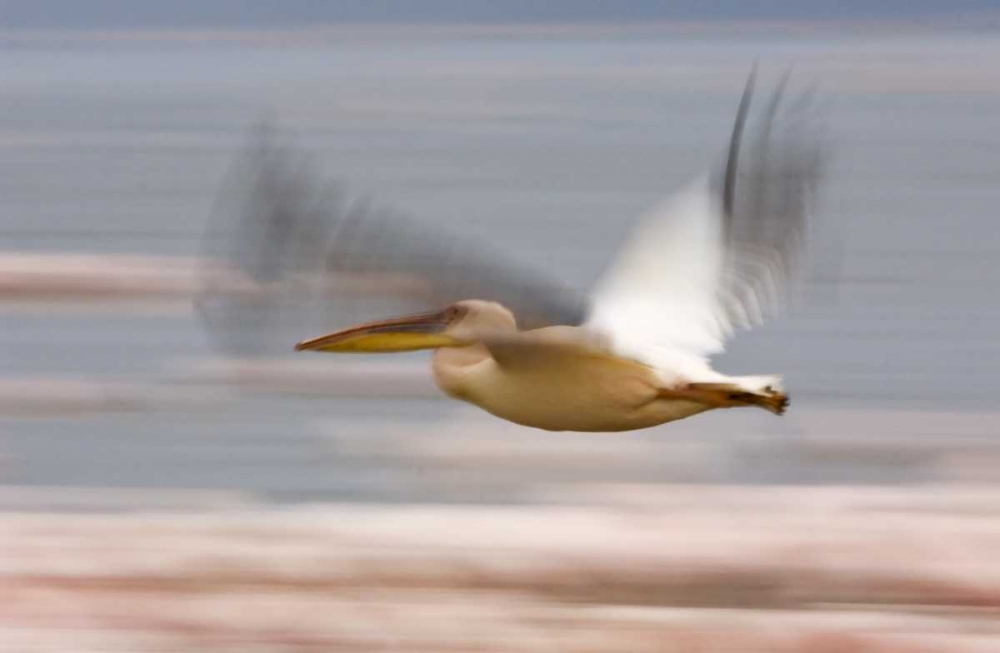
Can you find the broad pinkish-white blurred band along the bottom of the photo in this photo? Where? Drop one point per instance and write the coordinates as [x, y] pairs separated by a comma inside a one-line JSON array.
[[793, 570]]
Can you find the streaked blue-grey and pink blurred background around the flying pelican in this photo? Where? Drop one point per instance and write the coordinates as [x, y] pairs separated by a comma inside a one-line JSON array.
[[158, 496]]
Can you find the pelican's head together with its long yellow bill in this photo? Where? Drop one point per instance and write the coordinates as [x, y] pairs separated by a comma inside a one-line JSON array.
[[459, 325]]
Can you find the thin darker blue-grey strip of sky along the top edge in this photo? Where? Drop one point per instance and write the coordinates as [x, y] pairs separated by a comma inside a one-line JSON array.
[[153, 14]]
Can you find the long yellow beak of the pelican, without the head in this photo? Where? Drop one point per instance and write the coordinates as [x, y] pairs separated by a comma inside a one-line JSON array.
[[408, 333]]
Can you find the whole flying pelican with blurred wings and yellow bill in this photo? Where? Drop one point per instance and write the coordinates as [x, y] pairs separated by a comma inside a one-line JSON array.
[[719, 255]]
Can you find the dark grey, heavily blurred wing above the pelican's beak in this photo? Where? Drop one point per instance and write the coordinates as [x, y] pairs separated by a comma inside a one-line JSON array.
[[289, 256]]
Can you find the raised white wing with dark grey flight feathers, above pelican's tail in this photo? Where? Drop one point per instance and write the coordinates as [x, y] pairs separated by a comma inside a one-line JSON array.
[[722, 253]]
